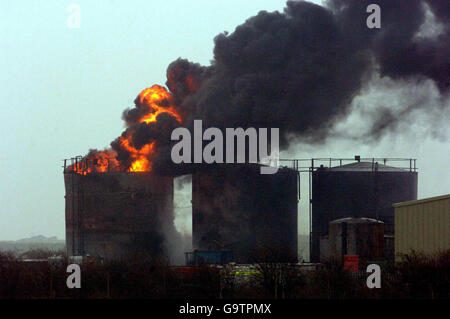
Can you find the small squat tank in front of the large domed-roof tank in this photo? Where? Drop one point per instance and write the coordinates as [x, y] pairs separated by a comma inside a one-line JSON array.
[[356, 236]]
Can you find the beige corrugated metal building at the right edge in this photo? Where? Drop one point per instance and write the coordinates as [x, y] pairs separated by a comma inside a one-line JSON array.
[[422, 225]]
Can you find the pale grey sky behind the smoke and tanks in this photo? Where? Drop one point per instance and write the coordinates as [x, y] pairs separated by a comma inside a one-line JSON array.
[[64, 90]]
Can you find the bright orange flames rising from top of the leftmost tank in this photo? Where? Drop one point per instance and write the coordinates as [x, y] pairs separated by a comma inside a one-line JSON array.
[[155, 100]]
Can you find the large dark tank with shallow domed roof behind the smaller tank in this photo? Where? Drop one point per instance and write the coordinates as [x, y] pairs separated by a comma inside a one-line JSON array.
[[361, 189]]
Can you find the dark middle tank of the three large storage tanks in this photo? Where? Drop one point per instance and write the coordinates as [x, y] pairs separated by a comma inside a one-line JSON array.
[[238, 209]]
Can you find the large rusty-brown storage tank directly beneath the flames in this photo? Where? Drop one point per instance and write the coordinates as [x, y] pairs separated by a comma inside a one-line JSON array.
[[115, 215]]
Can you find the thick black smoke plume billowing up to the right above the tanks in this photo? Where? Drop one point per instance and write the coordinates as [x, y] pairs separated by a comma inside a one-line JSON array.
[[300, 70]]
